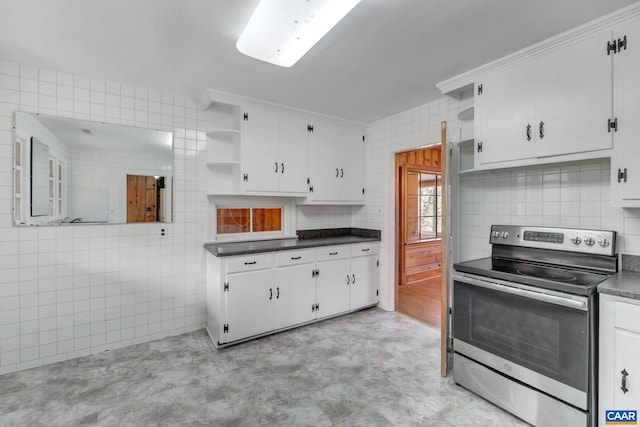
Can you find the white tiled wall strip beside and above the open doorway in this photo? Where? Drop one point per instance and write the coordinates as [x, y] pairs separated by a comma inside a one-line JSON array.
[[404, 131]]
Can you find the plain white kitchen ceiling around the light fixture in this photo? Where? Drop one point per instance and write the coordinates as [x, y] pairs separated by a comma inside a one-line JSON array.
[[384, 57]]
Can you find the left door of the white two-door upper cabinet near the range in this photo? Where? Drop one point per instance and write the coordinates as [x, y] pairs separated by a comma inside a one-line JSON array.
[[503, 111]]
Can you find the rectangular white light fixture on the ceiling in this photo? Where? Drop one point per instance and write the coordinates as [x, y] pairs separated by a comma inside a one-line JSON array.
[[282, 31]]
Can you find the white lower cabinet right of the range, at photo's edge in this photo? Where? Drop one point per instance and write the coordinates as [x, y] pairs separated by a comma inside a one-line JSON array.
[[619, 354]]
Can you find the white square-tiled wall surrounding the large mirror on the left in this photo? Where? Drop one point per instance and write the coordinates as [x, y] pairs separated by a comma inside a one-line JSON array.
[[76, 290]]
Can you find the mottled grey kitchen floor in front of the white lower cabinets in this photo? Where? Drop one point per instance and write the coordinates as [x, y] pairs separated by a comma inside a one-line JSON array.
[[370, 368]]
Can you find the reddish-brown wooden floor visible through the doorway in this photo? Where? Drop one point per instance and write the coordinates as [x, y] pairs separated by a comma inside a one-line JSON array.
[[421, 301]]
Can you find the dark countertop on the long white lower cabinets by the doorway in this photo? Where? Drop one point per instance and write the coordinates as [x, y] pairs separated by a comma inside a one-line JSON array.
[[306, 239]]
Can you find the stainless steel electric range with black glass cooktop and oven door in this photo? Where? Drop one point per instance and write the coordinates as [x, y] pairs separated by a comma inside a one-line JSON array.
[[525, 322]]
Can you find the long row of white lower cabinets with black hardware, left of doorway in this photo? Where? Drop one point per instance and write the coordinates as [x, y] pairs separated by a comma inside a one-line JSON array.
[[251, 295]]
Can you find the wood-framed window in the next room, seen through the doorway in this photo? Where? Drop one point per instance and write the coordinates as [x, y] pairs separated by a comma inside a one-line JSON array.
[[424, 206]]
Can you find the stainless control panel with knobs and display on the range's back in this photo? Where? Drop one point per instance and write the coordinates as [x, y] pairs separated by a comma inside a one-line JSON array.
[[600, 242]]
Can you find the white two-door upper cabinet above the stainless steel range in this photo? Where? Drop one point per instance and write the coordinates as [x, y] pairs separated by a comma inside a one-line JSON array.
[[554, 103]]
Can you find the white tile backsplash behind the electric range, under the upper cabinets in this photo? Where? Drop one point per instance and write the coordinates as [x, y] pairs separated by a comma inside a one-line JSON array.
[[562, 195]]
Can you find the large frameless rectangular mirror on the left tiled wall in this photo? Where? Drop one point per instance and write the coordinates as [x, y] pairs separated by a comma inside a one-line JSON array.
[[84, 172]]
